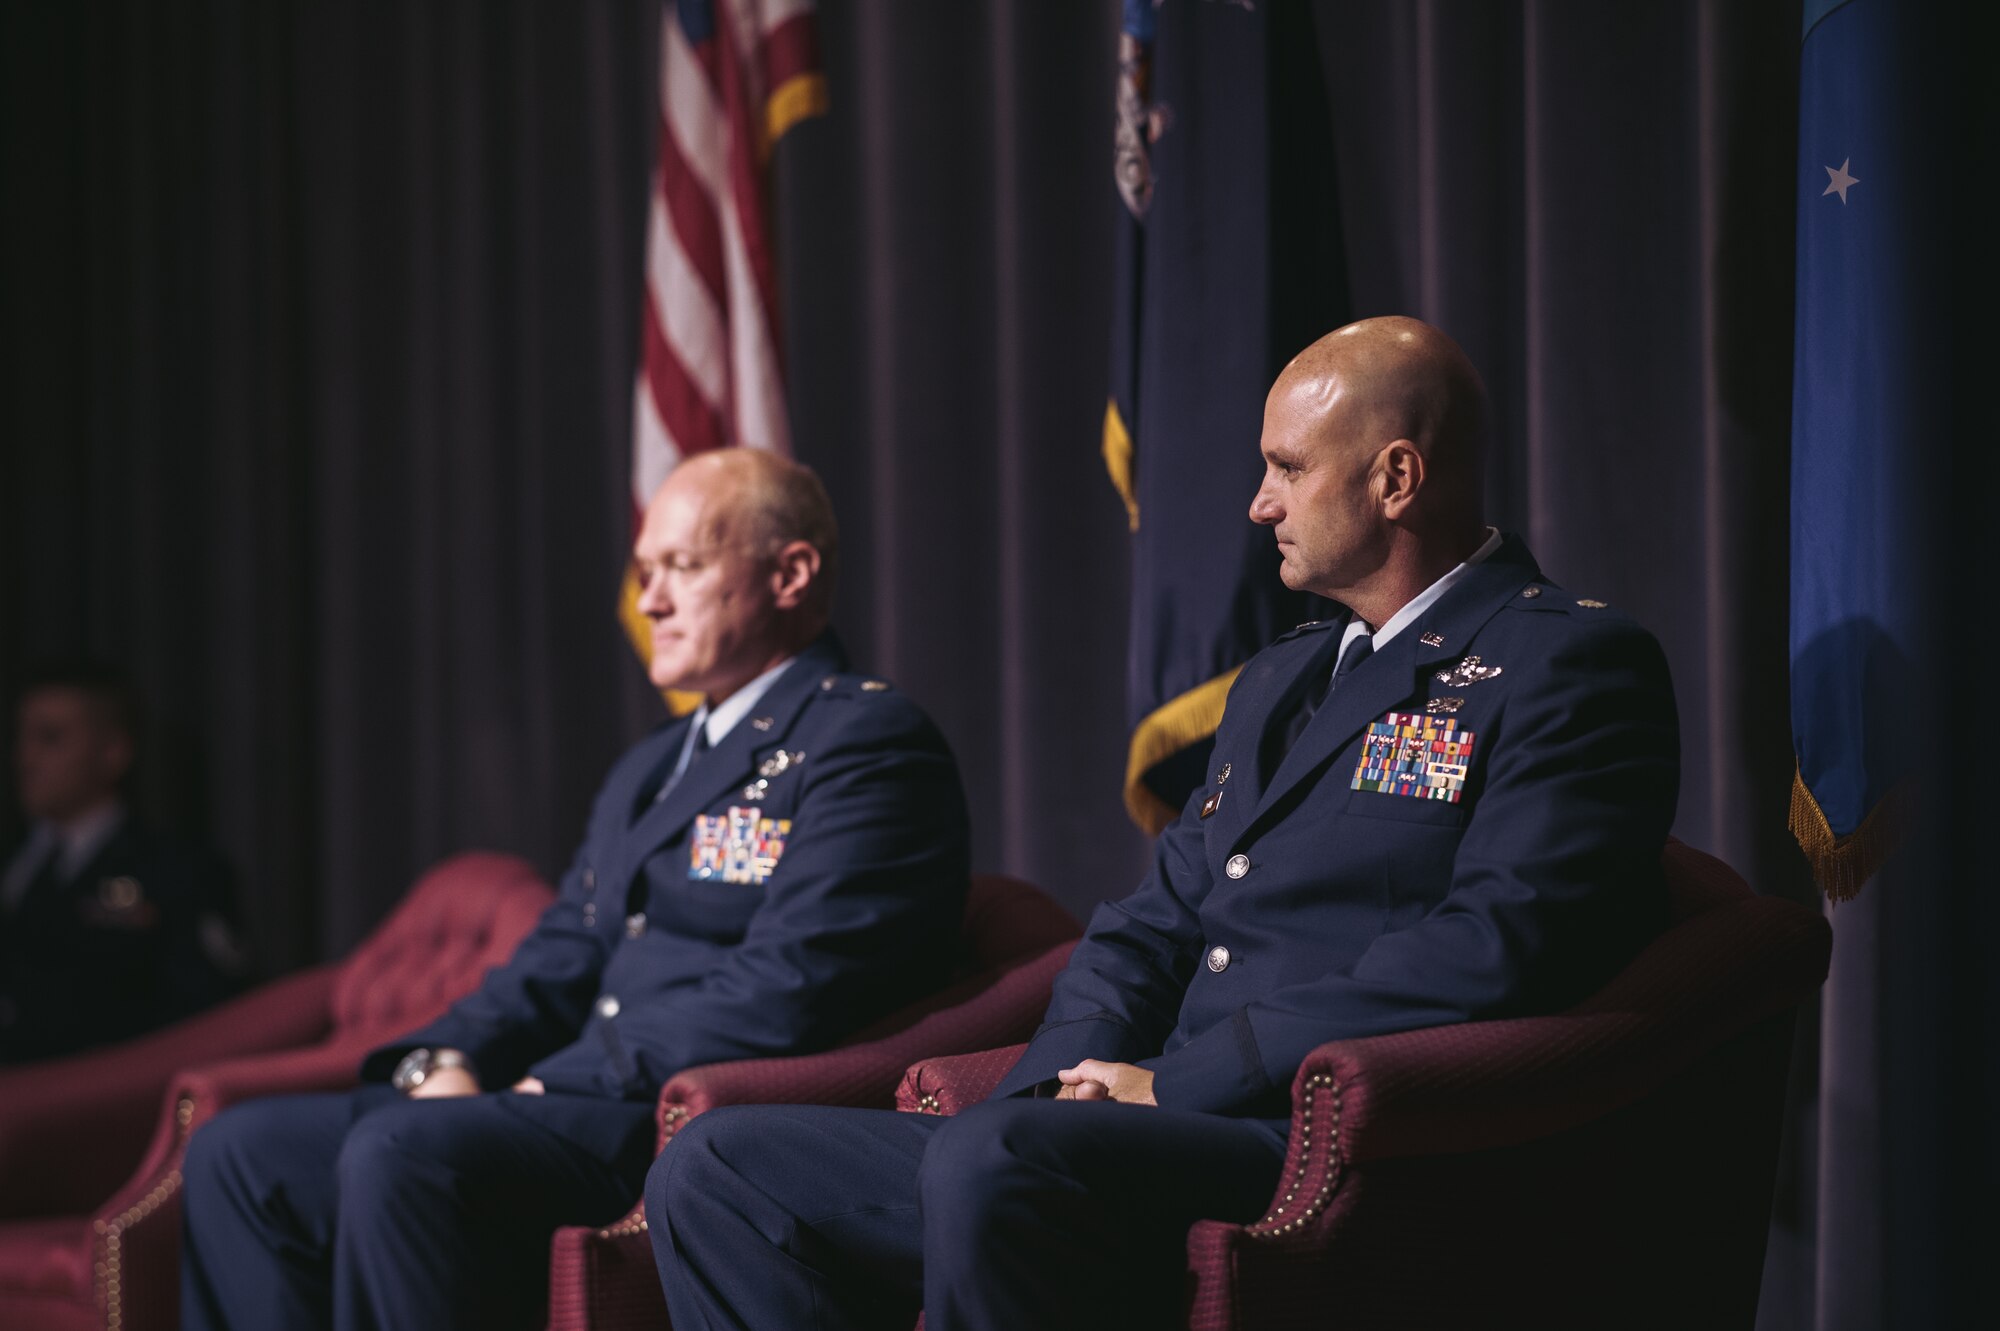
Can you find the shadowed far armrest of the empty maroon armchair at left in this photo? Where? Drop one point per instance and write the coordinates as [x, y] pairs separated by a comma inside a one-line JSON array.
[[73, 1128]]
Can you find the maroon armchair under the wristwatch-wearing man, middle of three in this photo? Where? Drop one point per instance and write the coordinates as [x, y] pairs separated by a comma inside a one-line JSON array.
[[1015, 942]]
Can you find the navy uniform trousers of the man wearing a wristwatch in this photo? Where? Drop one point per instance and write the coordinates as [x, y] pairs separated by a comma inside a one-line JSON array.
[[369, 1210]]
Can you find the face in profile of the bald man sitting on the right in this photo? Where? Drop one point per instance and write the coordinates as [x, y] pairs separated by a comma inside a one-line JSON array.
[[1317, 489]]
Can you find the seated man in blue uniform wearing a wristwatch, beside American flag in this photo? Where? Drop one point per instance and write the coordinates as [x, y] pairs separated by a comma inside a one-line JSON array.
[[761, 878]]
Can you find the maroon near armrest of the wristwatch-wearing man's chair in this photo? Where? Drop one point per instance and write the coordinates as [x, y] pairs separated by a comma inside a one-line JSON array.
[[995, 1008]]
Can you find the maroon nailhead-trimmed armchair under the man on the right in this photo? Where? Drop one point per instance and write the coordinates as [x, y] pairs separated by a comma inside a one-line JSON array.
[[1609, 1166]]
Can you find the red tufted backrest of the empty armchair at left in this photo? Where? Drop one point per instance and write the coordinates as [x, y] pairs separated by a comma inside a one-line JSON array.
[[455, 924]]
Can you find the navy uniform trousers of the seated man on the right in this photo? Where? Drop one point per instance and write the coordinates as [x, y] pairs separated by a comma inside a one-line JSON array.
[[1013, 1214]]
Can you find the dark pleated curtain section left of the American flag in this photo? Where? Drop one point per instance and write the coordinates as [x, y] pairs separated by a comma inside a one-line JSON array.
[[321, 331]]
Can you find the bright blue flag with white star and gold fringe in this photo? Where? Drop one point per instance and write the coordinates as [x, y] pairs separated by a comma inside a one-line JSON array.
[[1865, 377]]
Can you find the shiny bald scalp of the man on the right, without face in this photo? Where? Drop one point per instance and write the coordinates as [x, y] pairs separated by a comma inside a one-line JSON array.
[[1399, 379]]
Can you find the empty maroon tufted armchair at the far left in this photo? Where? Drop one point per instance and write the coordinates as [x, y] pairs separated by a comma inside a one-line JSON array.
[[91, 1158]]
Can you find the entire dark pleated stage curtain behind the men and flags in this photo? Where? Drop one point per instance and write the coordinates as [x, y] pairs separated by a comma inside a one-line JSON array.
[[321, 333]]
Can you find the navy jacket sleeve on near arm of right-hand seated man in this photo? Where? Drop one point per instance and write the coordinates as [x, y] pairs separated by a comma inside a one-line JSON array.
[[1555, 884]]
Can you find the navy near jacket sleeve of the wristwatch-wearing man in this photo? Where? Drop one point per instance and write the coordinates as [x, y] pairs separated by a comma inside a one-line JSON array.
[[861, 916]]
